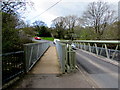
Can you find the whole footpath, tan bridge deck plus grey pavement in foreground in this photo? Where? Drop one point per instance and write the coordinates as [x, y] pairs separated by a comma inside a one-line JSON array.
[[46, 74]]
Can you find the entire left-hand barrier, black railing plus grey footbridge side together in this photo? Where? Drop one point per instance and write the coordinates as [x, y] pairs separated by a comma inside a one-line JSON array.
[[16, 63]]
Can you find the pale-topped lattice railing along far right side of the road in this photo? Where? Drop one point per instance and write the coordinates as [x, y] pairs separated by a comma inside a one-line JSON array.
[[109, 49]]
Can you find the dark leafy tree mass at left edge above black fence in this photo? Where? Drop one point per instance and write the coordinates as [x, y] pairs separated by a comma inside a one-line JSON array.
[[10, 22]]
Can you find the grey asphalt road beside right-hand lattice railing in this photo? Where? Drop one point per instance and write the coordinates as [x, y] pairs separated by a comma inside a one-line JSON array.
[[104, 74]]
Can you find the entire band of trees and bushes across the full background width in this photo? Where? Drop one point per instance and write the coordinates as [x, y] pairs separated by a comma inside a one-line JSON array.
[[91, 26]]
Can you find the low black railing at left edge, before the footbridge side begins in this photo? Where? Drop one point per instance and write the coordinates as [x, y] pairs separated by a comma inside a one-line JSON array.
[[12, 65]]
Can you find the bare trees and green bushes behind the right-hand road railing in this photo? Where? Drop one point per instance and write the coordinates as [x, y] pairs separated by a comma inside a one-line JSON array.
[[98, 22]]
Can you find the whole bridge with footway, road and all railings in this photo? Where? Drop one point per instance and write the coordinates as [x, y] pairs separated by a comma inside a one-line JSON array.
[[92, 64]]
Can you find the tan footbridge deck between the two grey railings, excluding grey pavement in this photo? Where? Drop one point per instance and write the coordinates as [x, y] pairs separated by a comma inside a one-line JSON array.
[[48, 64]]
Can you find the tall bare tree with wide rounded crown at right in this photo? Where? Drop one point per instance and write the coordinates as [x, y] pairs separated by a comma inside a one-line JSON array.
[[99, 15]]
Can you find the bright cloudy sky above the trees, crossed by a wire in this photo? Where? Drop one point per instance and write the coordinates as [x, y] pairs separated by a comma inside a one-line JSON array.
[[63, 8]]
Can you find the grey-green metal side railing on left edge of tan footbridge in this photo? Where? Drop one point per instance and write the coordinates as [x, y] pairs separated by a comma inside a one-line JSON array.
[[33, 52]]
